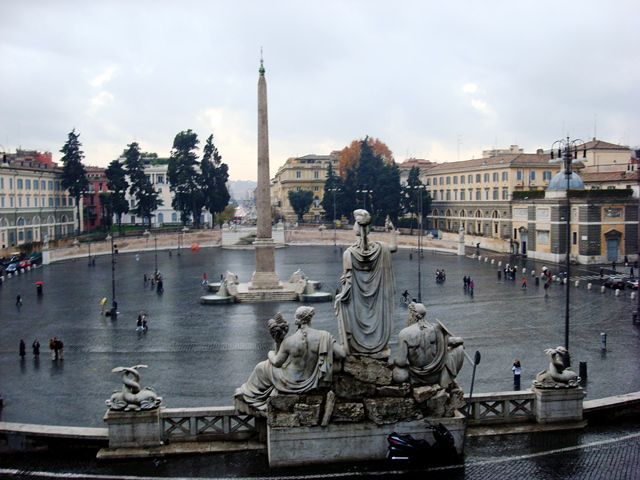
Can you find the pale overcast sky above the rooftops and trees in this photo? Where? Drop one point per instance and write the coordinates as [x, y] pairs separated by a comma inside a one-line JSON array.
[[436, 80]]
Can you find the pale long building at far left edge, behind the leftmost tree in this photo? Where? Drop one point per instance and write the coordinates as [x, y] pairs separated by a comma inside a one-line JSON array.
[[33, 203]]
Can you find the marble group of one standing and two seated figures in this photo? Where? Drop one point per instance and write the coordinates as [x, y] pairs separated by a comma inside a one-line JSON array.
[[364, 305]]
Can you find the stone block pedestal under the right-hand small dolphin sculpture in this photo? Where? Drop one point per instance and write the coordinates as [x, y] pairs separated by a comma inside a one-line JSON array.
[[558, 404]]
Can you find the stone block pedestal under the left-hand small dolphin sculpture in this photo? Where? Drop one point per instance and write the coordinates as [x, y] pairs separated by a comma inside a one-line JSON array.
[[133, 429]]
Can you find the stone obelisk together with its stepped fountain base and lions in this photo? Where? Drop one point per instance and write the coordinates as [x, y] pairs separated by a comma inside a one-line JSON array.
[[265, 285]]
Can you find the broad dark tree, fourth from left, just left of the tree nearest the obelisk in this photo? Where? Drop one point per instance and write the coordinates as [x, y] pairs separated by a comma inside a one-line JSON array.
[[184, 177]]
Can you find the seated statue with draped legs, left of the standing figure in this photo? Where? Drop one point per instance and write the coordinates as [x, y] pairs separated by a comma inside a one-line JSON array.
[[302, 362]]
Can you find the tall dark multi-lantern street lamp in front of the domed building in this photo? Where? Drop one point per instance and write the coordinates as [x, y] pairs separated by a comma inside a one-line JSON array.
[[567, 152]]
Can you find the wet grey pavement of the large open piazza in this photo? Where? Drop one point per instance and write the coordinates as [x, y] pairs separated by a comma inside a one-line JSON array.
[[197, 355]]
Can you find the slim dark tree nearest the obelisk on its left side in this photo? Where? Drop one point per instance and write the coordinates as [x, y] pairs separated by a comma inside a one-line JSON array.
[[213, 180]]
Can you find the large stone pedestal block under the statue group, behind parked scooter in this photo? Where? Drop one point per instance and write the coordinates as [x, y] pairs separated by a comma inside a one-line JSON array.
[[344, 442]]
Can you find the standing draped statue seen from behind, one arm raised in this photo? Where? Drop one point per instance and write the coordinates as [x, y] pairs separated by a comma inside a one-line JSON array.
[[364, 304]]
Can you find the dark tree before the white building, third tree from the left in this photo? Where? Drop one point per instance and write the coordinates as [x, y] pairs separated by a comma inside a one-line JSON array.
[[146, 197]]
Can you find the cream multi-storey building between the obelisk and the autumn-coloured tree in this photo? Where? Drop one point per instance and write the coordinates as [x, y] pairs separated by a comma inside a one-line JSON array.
[[301, 173]]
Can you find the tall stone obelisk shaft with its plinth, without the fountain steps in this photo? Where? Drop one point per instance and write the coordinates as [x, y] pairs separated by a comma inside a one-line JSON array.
[[264, 276]]
